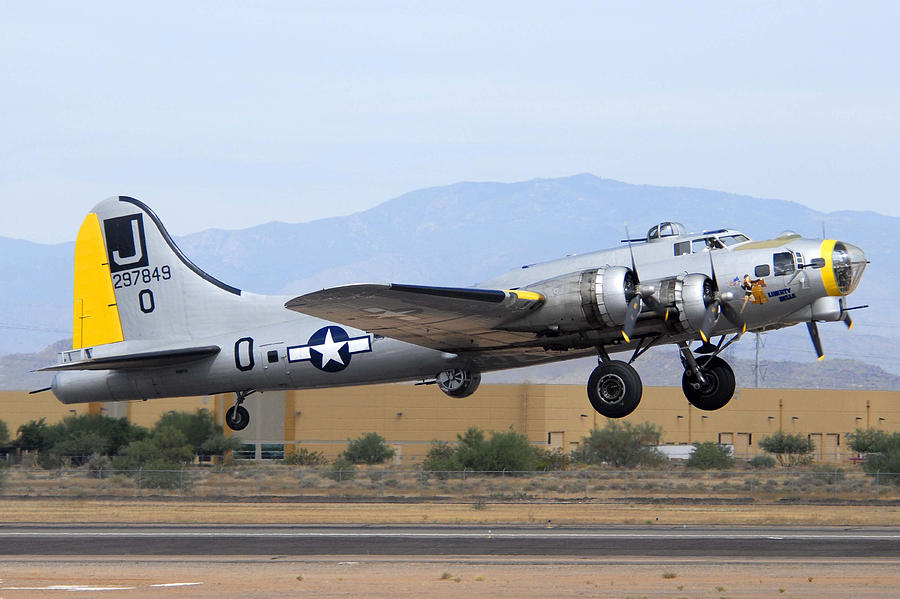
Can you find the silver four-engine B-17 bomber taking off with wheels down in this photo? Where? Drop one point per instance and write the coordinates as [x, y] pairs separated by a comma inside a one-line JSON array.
[[149, 323]]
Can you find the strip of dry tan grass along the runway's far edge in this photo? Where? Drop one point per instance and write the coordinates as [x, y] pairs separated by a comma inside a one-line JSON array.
[[194, 512]]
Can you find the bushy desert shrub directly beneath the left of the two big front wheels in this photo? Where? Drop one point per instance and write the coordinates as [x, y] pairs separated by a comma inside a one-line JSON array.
[[622, 444]]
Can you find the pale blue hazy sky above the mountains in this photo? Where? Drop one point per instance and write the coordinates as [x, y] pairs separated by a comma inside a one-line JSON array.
[[225, 114]]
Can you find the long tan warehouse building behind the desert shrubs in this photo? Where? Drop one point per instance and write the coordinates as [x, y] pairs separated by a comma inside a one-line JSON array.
[[410, 417]]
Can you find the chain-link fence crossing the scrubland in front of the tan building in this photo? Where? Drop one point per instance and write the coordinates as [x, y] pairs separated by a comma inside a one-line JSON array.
[[394, 484]]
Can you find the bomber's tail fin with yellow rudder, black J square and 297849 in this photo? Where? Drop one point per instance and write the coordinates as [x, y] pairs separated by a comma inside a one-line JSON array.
[[133, 282]]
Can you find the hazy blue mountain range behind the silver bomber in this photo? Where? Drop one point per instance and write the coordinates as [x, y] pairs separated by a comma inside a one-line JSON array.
[[467, 232]]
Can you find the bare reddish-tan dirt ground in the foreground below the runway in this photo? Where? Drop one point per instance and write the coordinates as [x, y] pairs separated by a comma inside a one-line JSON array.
[[400, 578]]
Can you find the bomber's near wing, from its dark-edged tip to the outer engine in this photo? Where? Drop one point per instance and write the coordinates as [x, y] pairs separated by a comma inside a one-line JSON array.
[[450, 319]]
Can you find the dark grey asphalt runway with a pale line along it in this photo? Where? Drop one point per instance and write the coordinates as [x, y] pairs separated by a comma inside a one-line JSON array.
[[652, 541]]
